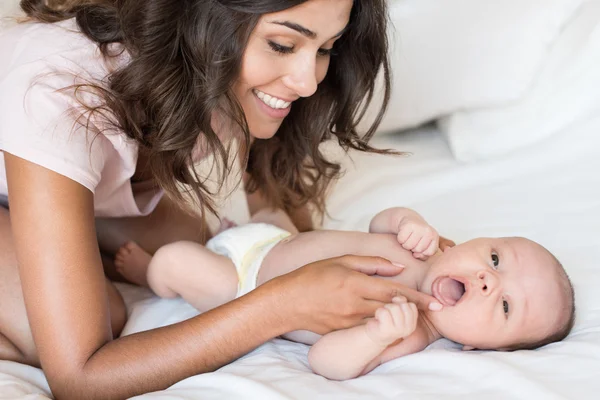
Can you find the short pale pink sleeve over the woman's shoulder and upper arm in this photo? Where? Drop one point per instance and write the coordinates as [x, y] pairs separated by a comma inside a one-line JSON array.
[[38, 122]]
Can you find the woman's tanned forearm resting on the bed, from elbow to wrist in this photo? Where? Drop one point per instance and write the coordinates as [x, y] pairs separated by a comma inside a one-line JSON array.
[[156, 359]]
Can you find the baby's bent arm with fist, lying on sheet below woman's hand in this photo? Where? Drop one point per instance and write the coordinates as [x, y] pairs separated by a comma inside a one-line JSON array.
[[348, 353]]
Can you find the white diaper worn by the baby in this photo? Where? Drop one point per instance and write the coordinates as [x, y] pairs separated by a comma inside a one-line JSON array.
[[247, 246]]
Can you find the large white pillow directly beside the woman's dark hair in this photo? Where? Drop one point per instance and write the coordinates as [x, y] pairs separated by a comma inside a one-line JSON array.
[[450, 55]]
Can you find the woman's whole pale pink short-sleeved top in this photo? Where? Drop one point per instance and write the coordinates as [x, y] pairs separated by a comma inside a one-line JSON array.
[[38, 121]]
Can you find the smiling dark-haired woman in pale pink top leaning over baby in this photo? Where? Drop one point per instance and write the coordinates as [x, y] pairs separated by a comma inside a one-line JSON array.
[[92, 139]]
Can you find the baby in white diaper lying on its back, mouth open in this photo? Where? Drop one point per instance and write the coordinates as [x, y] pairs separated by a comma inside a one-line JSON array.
[[497, 293]]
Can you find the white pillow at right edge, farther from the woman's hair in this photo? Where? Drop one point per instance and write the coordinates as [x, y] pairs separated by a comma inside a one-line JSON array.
[[565, 91]]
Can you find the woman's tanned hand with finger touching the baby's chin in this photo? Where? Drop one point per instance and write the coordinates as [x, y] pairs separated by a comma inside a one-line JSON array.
[[338, 293]]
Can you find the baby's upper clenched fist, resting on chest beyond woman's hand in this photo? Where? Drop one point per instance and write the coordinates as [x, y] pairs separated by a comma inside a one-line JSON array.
[[418, 236]]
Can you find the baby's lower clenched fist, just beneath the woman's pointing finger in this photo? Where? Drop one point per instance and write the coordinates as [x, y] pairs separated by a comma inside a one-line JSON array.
[[393, 321]]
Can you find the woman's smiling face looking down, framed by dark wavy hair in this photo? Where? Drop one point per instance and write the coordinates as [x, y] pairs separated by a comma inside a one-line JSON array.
[[286, 58]]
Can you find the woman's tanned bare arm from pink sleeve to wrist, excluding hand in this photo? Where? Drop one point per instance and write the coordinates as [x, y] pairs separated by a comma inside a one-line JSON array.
[[67, 303]]
